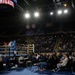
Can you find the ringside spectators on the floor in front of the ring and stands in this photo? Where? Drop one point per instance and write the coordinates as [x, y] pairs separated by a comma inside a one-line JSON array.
[[52, 61]]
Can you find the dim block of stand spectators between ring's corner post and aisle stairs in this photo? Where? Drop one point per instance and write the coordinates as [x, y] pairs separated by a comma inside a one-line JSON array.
[[44, 43]]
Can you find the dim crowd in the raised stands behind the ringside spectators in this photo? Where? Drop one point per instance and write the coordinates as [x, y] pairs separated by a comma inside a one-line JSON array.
[[46, 43]]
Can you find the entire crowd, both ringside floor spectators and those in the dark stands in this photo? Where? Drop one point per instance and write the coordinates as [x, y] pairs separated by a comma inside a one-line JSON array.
[[44, 56]]
